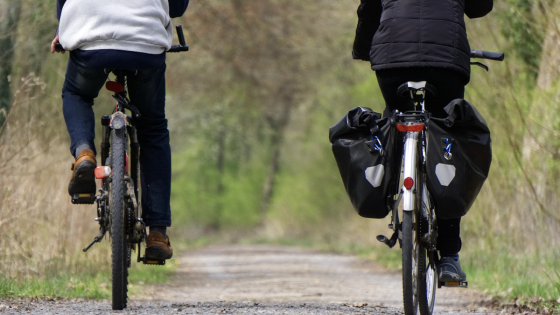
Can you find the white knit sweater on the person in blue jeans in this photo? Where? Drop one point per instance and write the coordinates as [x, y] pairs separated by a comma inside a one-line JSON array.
[[132, 25]]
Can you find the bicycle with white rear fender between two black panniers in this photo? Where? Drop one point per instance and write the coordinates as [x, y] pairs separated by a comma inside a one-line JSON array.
[[413, 215]]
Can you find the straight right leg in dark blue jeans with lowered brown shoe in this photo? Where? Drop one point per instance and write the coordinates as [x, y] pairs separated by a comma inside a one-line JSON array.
[[147, 93]]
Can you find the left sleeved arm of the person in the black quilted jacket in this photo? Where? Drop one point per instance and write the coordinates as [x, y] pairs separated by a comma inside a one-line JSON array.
[[369, 15]]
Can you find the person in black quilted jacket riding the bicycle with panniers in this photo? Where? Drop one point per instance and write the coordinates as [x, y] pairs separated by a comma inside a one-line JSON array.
[[421, 40]]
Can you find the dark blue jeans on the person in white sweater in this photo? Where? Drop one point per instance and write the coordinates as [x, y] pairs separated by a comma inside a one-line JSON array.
[[147, 92]]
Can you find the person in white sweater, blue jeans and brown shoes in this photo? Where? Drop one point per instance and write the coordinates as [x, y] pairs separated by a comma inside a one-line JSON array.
[[102, 35]]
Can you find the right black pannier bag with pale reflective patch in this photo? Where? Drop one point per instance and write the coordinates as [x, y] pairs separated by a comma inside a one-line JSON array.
[[458, 158]]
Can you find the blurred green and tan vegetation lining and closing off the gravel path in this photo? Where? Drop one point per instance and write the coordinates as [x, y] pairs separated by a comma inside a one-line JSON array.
[[249, 109]]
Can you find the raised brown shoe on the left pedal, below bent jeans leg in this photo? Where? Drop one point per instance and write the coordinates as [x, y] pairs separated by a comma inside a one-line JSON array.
[[83, 175]]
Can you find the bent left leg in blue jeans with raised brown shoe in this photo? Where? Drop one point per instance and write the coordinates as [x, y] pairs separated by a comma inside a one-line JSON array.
[[81, 86]]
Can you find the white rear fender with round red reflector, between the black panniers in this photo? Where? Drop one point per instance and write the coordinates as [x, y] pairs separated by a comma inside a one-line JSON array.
[[409, 171]]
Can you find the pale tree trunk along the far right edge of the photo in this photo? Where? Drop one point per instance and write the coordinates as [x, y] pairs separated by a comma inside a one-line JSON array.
[[540, 146]]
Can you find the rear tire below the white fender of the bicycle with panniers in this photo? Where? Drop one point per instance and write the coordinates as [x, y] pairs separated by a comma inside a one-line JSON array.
[[409, 264]]
